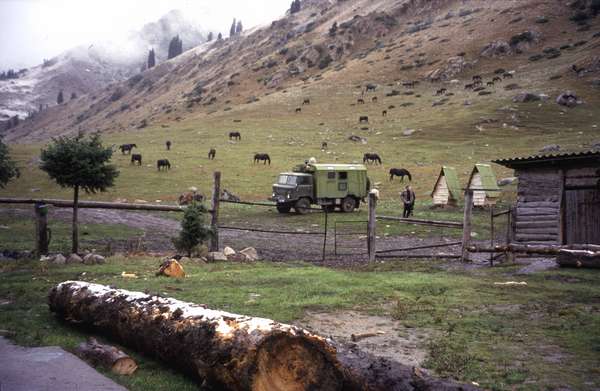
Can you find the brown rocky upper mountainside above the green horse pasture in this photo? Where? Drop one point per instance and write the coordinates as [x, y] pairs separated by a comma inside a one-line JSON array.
[[548, 47]]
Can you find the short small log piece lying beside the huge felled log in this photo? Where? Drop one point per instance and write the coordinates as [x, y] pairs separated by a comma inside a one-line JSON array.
[[108, 356]]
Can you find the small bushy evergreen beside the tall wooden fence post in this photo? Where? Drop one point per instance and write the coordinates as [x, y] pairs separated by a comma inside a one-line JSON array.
[[193, 230]]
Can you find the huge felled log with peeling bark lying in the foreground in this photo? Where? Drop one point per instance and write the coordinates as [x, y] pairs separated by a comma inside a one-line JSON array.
[[229, 351]]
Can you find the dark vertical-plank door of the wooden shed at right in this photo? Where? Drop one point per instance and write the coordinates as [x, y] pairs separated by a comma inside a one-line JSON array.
[[582, 216]]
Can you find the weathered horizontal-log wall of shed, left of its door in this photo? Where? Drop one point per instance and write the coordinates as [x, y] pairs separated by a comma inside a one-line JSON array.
[[538, 215]]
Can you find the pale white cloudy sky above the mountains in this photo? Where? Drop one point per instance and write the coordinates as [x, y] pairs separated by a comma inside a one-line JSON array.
[[37, 29]]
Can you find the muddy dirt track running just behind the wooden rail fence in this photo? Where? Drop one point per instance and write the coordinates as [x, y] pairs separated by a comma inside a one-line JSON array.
[[159, 230]]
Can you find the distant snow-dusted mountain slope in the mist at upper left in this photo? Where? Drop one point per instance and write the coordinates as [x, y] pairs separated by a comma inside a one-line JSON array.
[[85, 69]]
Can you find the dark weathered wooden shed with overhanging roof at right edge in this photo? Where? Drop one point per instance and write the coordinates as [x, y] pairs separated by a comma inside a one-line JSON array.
[[558, 198]]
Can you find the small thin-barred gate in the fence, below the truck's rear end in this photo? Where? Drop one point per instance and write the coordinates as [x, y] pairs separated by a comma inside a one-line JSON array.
[[350, 237]]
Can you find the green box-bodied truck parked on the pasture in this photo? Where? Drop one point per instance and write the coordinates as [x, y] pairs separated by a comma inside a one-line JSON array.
[[332, 186]]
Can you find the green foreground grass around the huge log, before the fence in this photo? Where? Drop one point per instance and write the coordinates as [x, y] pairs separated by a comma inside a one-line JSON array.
[[531, 337]]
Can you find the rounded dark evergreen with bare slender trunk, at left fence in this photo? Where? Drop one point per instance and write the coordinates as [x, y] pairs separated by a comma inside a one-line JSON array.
[[79, 163]]
